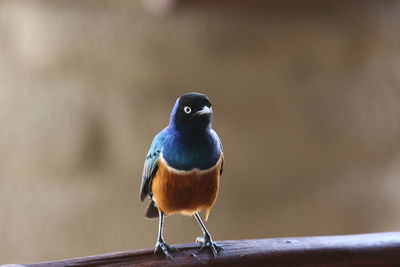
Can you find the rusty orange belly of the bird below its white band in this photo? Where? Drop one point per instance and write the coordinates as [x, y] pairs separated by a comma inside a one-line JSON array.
[[185, 192]]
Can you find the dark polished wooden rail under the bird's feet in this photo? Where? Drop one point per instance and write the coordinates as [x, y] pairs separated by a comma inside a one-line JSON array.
[[377, 249]]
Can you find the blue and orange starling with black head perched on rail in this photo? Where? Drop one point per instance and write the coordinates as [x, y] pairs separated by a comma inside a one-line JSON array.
[[181, 173]]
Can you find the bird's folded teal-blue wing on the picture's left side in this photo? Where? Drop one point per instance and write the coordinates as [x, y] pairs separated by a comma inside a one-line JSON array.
[[151, 165]]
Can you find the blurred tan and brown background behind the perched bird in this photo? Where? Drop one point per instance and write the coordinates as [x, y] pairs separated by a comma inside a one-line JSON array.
[[306, 101]]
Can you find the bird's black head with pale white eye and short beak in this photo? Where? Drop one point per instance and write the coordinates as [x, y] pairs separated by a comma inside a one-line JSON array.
[[192, 111]]
